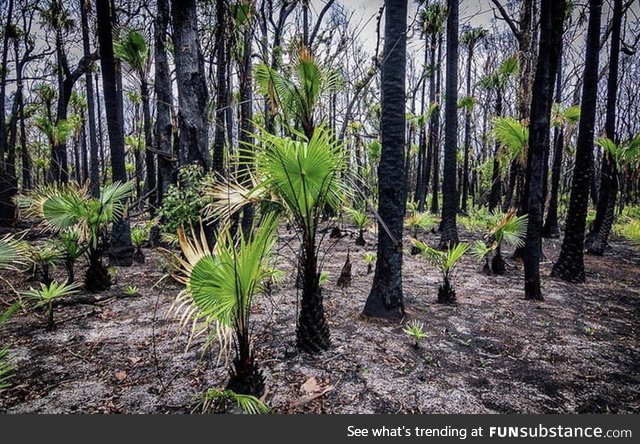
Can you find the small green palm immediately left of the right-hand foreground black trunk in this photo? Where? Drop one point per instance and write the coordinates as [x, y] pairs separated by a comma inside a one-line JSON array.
[[506, 228]]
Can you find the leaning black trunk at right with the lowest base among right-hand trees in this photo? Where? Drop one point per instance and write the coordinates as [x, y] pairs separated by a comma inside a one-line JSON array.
[[551, 22]]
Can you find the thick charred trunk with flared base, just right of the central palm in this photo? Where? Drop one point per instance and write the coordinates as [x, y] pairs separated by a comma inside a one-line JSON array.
[[385, 298]]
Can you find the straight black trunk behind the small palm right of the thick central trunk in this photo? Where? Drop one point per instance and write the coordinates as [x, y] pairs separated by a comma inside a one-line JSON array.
[[449, 236]]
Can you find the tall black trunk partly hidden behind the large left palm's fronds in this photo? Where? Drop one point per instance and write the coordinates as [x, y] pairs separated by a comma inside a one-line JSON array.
[[121, 249]]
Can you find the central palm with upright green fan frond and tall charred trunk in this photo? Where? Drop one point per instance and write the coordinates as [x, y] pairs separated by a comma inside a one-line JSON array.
[[304, 178]]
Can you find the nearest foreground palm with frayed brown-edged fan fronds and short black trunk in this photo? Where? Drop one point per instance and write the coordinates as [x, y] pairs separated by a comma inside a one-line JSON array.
[[221, 285]]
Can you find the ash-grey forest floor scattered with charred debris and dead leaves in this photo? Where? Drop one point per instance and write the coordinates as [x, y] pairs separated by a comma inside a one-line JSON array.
[[491, 352]]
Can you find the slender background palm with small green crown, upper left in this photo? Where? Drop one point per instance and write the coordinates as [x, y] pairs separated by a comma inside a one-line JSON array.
[[132, 49]]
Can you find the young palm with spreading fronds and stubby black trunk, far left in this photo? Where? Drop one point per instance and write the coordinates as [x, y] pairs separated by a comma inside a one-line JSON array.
[[71, 207]]
